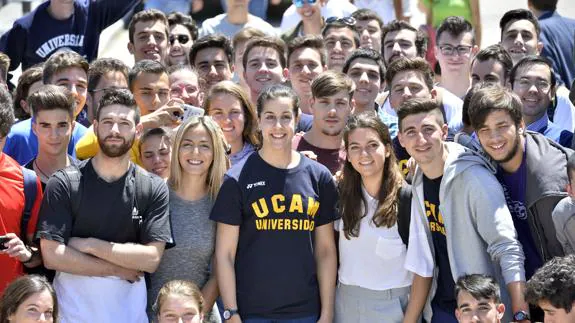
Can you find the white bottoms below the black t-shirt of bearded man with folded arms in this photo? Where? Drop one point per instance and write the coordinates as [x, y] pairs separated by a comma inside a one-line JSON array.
[[85, 299]]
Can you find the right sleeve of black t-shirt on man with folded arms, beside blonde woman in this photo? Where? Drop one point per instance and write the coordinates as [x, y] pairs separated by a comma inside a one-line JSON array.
[[156, 225]]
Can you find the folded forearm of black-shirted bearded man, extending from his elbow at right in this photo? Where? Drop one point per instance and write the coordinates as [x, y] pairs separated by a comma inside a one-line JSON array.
[[128, 255]]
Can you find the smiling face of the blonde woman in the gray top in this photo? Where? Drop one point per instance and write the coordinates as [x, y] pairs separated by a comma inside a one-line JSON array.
[[196, 151]]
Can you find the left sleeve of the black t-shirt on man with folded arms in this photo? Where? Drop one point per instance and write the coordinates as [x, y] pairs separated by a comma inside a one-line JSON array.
[[55, 217]]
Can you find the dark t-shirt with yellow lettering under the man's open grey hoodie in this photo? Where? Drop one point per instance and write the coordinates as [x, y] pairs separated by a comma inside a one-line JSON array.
[[445, 294]]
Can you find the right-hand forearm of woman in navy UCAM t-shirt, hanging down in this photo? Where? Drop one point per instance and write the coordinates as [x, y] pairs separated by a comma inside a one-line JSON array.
[[326, 259]]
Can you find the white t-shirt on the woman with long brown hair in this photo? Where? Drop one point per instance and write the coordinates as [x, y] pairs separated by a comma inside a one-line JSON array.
[[377, 259]]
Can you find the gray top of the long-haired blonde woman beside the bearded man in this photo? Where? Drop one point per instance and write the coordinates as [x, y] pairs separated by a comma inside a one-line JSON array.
[[194, 234]]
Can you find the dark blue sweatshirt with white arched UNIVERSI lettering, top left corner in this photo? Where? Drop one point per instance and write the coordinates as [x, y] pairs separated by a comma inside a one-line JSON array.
[[37, 35]]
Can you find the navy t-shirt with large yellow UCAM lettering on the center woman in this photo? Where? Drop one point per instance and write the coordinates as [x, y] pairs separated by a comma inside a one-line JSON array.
[[277, 211]]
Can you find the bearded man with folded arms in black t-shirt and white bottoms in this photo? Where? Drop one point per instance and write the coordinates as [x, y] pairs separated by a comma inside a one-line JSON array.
[[104, 223]]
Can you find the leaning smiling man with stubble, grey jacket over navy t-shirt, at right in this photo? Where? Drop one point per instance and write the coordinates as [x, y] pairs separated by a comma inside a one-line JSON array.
[[531, 169]]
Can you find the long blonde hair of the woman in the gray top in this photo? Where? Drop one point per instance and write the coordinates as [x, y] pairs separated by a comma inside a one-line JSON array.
[[220, 162]]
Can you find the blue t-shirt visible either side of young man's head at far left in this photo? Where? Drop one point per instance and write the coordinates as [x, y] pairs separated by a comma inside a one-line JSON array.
[[22, 143]]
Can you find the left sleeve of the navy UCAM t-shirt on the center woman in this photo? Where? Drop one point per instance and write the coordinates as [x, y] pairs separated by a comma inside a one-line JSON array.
[[228, 206]]
